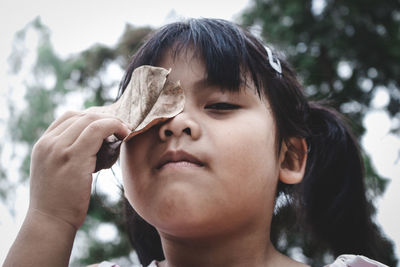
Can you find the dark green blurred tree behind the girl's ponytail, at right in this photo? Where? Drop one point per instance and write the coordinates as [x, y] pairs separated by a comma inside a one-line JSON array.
[[344, 51]]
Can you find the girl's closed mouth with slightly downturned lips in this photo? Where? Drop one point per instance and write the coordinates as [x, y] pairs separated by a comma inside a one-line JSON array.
[[179, 158]]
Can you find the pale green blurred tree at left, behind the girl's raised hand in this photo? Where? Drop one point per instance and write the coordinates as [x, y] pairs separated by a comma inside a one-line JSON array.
[[53, 84]]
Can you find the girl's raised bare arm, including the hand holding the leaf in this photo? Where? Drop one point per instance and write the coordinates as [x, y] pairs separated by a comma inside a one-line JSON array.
[[62, 164]]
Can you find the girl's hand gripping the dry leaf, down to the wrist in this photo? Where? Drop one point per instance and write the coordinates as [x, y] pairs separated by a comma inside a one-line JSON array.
[[63, 161]]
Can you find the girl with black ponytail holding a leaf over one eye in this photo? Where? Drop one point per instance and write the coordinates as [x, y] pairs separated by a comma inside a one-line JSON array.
[[201, 188]]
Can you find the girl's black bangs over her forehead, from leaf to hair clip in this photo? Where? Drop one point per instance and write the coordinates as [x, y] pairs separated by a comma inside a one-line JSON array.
[[230, 55]]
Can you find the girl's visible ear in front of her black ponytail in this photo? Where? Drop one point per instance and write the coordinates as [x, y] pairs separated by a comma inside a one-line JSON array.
[[293, 158]]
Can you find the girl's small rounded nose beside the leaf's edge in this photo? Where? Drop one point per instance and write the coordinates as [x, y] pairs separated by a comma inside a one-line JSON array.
[[180, 125]]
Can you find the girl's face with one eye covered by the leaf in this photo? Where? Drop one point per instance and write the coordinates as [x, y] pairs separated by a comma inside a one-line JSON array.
[[210, 170]]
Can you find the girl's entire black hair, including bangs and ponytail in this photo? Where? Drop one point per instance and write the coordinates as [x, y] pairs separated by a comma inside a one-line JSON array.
[[332, 195]]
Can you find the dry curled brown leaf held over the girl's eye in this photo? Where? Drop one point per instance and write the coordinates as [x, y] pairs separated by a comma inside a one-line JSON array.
[[149, 98]]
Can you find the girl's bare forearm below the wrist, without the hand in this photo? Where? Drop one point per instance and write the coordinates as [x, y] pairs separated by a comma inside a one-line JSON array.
[[42, 241]]
